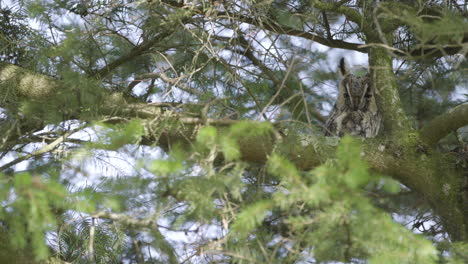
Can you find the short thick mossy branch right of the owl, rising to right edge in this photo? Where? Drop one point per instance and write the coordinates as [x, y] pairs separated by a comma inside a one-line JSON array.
[[442, 125]]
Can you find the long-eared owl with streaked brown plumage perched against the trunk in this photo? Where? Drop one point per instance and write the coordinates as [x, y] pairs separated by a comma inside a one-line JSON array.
[[355, 111]]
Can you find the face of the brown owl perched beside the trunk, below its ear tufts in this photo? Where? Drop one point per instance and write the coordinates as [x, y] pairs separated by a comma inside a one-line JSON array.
[[355, 92]]
